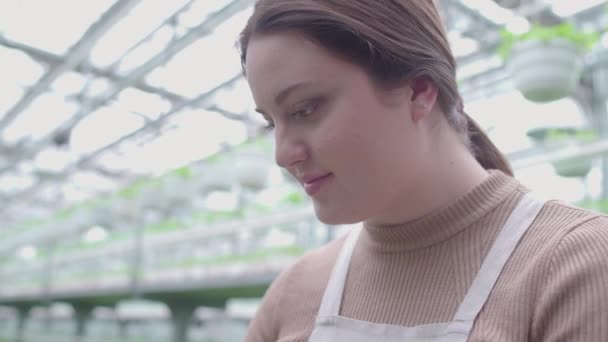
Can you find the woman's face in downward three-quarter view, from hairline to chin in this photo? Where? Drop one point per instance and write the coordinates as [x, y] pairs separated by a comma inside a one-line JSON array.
[[356, 149]]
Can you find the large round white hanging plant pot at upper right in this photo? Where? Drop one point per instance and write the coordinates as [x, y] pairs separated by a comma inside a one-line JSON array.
[[545, 71]]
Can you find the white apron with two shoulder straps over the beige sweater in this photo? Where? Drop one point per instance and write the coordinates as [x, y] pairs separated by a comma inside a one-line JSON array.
[[331, 327]]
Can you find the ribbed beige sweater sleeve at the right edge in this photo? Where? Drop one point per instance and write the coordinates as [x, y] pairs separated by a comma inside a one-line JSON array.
[[573, 302]]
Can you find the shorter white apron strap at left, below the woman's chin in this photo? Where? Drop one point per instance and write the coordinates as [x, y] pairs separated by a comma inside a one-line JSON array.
[[332, 298]]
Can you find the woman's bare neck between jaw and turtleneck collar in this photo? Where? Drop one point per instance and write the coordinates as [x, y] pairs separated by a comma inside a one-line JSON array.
[[449, 172]]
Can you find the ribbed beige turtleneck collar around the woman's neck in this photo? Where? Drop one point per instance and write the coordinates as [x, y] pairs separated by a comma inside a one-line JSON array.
[[443, 223]]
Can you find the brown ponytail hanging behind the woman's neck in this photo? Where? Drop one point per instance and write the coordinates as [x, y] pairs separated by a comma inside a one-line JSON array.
[[484, 150]]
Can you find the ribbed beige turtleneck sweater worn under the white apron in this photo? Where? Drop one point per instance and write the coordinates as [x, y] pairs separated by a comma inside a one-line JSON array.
[[553, 288]]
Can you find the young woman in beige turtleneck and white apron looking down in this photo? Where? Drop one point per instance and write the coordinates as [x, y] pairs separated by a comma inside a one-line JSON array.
[[367, 116]]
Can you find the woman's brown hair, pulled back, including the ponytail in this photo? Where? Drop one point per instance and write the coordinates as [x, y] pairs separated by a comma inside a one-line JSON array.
[[393, 40]]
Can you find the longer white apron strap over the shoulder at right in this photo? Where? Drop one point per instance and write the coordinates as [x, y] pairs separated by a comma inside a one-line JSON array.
[[517, 224]]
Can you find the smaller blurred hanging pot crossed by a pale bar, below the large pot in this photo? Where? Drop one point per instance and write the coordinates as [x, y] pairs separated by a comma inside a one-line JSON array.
[[557, 138]]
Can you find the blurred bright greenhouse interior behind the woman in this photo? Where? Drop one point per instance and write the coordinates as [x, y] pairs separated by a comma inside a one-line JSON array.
[[139, 200]]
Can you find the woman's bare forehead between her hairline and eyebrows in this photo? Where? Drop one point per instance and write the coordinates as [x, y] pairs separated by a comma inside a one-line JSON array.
[[276, 61]]
